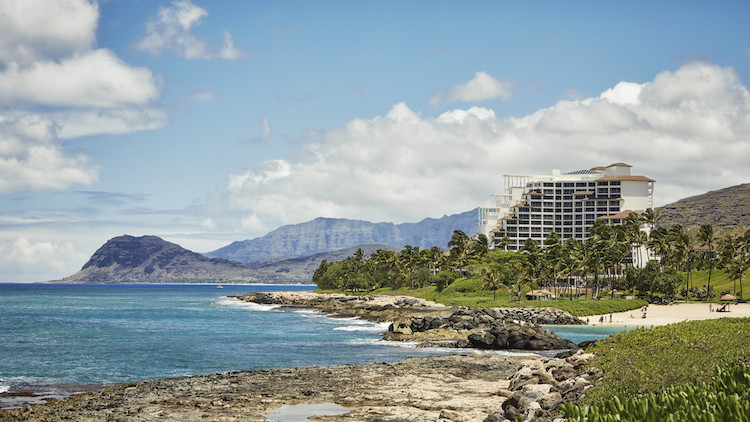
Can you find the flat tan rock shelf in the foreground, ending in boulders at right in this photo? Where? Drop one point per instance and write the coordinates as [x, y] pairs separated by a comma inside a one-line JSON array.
[[461, 387]]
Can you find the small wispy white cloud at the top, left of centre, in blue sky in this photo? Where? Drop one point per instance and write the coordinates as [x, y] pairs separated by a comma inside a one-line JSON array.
[[171, 31]]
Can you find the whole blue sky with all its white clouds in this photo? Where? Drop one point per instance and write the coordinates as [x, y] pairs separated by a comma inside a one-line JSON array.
[[206, 122]]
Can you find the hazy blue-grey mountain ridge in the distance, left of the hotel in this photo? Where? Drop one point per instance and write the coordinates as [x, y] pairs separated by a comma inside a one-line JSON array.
[[329, 234]]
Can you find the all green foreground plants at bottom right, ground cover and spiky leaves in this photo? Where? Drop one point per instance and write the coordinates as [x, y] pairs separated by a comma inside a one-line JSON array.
[[690, 366]]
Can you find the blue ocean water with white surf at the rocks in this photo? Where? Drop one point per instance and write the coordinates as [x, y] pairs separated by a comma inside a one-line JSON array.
[[62, 338]]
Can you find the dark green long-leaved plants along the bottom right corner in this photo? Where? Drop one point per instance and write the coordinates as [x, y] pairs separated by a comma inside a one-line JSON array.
[[726, 398]]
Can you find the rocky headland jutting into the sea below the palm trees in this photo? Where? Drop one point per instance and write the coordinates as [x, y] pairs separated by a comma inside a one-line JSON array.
[[432, 324]]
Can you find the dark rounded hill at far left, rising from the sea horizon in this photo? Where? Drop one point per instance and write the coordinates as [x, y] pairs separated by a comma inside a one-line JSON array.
[[150, 259]]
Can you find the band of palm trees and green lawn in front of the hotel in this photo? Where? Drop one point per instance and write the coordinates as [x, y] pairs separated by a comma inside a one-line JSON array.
[[562, 274]]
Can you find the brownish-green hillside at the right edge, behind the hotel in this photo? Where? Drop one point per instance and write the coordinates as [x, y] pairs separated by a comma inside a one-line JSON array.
[[728, 210]]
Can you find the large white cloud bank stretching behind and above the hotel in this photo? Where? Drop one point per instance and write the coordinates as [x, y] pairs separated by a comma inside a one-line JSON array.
[[688, 129]]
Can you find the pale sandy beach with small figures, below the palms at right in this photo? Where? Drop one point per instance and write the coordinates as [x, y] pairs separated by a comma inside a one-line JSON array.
[[670, 314]]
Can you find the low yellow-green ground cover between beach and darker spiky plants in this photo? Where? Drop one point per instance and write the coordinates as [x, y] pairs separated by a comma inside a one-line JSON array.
[[643, 360]]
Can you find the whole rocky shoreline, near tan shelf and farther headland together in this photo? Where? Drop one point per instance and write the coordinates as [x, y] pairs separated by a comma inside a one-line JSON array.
[[474, 386]]
